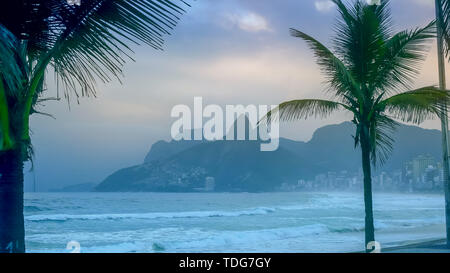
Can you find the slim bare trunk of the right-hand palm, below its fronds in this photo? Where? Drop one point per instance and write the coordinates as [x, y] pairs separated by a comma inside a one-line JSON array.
[[368, 202]]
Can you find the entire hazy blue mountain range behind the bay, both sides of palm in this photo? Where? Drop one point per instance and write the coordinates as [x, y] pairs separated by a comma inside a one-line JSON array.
[[241, 166]]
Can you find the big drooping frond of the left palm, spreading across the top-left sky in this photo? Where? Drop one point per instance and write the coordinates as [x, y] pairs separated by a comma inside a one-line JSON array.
[[95, 38]]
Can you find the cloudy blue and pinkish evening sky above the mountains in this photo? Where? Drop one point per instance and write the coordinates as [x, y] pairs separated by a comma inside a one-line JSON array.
[[226, 51]]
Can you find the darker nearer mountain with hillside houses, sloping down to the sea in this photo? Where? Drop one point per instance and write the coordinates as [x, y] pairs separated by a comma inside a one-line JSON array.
[[235, 166]]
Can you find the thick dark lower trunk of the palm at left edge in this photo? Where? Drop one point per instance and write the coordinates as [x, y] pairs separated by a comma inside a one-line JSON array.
[[12, 230]]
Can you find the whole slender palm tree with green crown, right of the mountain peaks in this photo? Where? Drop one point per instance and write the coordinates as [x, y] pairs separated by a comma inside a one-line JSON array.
[[369, 73]]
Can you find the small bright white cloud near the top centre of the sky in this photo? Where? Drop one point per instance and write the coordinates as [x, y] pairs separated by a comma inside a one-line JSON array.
[[247, 21]]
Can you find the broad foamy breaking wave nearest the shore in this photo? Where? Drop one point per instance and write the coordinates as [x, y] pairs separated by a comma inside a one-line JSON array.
[[311, 237]]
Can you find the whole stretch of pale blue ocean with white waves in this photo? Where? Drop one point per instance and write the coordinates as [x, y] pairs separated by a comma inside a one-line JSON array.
[[226, 222]]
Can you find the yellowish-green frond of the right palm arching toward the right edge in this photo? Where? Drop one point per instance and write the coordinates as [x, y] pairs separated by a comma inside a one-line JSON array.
[[416, 106]]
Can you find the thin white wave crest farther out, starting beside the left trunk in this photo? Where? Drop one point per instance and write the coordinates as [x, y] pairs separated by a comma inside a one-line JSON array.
[[153, 215]]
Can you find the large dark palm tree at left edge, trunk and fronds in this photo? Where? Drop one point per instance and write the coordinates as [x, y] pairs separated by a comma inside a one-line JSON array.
[[82, 44]]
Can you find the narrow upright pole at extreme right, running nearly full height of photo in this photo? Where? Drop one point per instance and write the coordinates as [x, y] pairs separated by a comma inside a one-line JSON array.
[[444, 118]]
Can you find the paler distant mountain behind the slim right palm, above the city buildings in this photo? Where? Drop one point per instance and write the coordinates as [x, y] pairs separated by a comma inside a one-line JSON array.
[[332, 147]]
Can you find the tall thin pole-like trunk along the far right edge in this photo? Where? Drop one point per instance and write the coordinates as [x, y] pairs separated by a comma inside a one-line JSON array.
[[443, 46]]
